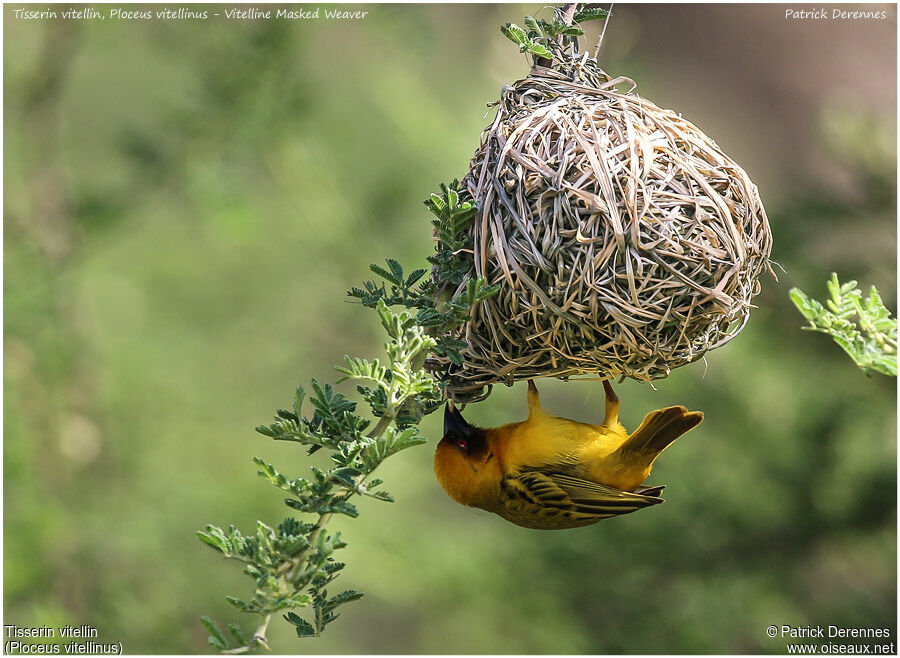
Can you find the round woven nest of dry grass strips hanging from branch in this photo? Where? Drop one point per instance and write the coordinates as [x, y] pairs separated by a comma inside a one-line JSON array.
[[625, 241]]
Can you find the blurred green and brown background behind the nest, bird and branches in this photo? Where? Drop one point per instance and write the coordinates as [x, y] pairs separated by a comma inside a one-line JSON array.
[[186, 204]]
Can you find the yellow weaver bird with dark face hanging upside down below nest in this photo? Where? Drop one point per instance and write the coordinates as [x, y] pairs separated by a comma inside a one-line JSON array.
[[552, 473]]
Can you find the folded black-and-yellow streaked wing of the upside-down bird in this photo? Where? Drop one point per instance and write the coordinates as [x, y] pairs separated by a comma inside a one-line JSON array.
[[549, 499]]
